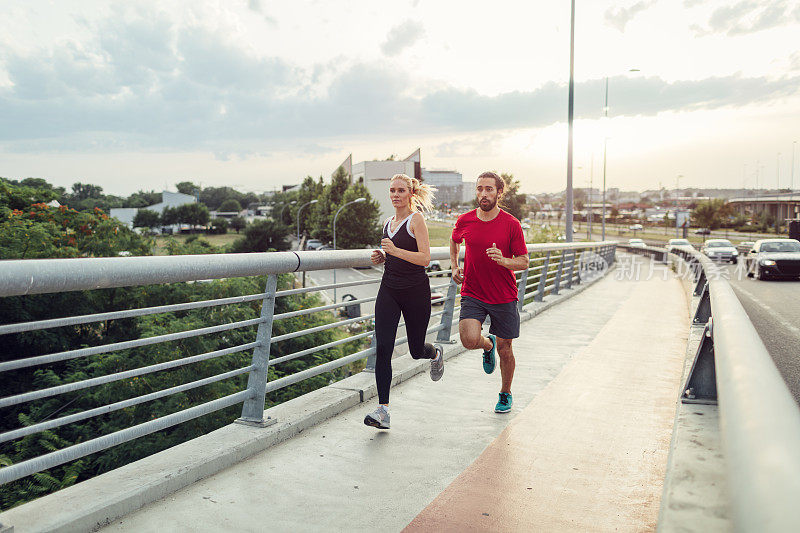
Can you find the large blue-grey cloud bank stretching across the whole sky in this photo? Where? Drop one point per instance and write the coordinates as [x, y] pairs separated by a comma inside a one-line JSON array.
[[151, 84]]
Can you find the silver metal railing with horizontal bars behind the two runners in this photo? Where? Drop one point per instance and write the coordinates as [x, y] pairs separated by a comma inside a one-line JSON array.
[[551, 268]]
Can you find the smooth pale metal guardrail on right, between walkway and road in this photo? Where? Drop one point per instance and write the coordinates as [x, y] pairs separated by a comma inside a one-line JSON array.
[[759, 419]]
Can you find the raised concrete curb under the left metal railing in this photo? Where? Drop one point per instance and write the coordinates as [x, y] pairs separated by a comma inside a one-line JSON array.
[[97, 502]]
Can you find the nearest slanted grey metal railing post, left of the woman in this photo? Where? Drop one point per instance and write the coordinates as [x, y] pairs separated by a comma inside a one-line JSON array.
[[253, 407]]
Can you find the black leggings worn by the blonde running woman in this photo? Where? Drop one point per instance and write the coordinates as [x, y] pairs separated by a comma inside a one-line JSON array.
[[415, 304]]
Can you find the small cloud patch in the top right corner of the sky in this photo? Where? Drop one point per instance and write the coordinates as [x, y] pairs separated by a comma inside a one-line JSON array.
[[749, 16]]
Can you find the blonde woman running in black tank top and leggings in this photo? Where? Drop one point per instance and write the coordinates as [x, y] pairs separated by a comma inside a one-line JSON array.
[[405, 288]]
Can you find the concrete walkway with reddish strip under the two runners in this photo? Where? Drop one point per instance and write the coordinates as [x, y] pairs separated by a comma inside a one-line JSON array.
[[595, 388]]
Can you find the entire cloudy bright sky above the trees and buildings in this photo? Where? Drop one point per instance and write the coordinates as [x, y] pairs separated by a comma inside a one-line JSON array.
[[255, 94]]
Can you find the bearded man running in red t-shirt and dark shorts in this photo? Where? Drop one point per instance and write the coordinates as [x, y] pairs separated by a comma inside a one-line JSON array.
[[495, 248]]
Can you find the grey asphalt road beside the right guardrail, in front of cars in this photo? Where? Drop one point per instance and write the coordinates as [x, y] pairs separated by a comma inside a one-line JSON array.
[[774, 309]]
